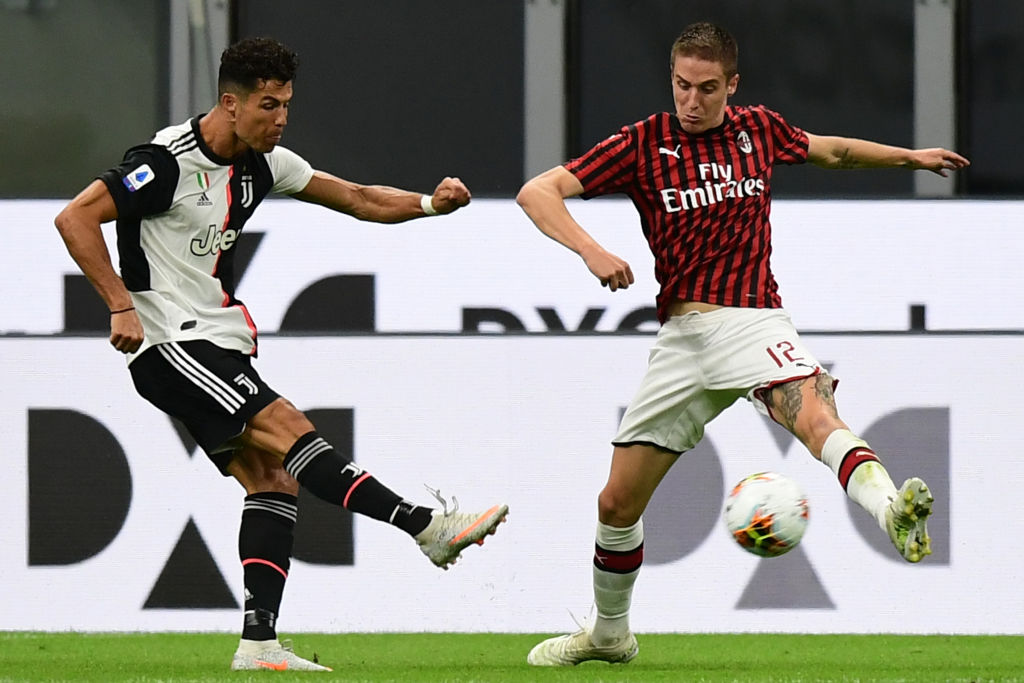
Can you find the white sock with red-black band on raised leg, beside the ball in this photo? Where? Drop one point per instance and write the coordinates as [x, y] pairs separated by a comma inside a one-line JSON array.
[[867, 482]]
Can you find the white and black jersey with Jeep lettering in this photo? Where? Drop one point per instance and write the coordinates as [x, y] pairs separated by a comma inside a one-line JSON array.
[[181, 209]]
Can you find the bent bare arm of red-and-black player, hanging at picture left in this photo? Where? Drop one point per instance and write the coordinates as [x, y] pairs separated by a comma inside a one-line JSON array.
[[543, 199]]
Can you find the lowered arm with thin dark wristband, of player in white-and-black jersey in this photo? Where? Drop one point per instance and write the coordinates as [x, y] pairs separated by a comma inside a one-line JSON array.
[[79, 226]]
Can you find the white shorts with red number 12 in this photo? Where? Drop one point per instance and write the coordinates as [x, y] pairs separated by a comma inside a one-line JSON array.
[[703, 363]]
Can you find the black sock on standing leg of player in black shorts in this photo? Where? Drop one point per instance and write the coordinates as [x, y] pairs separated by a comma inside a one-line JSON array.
[[266, 548]]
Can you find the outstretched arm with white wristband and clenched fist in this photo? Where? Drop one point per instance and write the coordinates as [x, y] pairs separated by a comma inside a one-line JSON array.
[[381, 204]]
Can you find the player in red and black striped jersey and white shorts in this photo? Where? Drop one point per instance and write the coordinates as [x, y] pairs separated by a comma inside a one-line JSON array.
[[700, 179]]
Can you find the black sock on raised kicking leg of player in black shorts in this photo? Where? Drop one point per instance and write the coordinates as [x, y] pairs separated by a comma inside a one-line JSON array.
[[329, 476]]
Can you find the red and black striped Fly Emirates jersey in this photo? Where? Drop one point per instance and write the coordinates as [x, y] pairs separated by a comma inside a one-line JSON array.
[[704, 200]]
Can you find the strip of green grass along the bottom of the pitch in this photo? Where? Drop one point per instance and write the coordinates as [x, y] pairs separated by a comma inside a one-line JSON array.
[[485, 658]]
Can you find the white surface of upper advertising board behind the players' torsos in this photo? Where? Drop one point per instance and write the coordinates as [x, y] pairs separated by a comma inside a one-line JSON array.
[[841, 265]]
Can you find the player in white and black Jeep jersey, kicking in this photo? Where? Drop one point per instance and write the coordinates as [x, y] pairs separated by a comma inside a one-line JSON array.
[[181, 202]]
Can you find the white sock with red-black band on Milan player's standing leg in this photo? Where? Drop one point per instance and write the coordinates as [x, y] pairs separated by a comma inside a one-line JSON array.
[[617, 564]]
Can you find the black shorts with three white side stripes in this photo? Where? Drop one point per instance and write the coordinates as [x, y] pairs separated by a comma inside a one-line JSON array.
[[211, 391]]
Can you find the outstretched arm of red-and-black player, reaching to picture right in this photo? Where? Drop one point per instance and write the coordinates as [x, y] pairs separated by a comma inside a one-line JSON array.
[[833, 152]]
